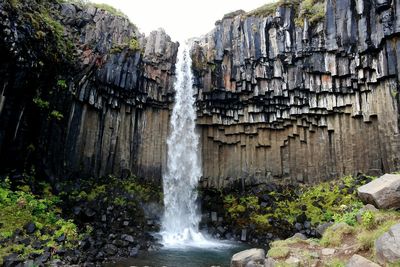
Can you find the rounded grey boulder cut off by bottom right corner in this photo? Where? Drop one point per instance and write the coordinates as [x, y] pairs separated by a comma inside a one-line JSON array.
[[388, 246]]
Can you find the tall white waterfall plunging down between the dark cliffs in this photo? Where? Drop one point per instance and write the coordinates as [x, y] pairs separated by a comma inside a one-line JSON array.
[[181, 217]]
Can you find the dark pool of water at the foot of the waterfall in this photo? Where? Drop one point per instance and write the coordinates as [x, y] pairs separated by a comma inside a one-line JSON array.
[[184, 257]]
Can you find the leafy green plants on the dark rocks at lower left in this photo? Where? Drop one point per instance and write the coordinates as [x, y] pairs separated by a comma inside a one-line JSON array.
[[17, 208]]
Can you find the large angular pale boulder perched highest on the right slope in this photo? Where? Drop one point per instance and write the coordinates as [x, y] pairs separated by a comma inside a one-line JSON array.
[[383, 192]]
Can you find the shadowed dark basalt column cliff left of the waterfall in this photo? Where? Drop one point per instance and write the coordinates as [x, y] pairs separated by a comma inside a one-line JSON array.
[[105, 112]]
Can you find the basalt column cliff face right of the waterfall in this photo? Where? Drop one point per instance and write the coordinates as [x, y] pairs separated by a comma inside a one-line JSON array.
[[280, 101]]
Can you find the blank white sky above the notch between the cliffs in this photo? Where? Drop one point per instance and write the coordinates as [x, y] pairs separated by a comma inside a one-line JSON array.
[[181, 19]]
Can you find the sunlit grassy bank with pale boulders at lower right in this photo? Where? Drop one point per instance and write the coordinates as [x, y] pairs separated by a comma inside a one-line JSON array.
[[372, 240]]
